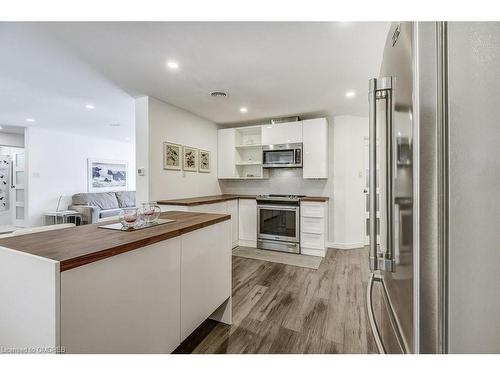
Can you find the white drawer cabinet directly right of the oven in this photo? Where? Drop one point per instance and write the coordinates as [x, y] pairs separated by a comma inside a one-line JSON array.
[[313, 228]]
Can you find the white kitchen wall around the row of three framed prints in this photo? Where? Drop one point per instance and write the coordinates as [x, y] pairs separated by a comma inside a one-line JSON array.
[[163, 122]]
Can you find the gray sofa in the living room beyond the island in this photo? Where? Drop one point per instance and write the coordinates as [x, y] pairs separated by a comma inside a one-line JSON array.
[[97, 206]]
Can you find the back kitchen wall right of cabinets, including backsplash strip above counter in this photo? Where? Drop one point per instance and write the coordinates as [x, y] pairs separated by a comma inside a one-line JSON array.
[[344, 186]]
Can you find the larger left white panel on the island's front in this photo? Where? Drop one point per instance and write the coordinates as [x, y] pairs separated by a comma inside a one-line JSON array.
[[129, 303]]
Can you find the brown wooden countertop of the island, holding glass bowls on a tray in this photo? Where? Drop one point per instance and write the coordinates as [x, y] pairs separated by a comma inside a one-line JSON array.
[[74, 247]]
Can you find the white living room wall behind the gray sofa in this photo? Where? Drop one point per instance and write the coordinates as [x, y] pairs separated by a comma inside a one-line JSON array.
[[57, 165]]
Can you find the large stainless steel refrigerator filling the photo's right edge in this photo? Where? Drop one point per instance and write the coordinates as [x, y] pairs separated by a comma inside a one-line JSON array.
[[433, 190]]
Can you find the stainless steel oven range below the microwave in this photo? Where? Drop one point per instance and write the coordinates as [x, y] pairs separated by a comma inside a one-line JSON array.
[[278, 223]]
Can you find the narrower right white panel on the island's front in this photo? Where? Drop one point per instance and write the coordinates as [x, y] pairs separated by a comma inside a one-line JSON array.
[[205, 274]]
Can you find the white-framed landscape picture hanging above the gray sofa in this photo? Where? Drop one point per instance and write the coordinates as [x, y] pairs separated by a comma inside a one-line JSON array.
[[107, 175]]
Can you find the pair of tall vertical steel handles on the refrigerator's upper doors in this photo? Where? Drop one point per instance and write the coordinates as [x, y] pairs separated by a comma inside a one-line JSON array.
[[381, 89]]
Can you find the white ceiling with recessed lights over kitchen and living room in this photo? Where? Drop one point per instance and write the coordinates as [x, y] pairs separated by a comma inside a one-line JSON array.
[[51, 70]]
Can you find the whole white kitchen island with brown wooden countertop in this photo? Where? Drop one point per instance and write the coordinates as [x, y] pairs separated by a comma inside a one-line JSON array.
[[94, 290]]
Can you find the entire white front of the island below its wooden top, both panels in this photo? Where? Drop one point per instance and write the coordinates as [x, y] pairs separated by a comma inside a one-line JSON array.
[[150, 299]]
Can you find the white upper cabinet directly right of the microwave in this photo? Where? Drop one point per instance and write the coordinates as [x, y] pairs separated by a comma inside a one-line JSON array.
[[315, 147]]
